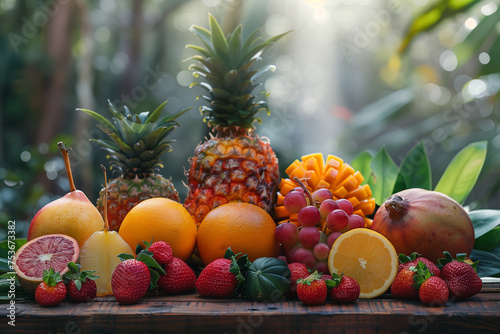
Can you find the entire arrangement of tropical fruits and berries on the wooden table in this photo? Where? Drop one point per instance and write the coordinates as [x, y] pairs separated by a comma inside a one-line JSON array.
[[317, 235]]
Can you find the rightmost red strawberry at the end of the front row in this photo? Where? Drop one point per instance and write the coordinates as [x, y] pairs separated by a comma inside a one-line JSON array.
[[461, 277]]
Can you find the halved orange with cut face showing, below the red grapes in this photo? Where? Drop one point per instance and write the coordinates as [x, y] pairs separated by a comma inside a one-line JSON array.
[[366, 256]]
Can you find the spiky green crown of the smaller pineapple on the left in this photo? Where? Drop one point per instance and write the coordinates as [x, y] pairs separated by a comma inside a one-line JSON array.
[[137, 141]]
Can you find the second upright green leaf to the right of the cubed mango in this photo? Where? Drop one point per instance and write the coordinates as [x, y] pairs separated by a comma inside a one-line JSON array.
[[383, 177]]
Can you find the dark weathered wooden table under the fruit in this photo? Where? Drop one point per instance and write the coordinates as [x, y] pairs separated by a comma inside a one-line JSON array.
[[194, 314]]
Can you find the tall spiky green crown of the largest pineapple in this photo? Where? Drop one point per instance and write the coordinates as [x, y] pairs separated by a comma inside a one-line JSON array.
[[227, 75]]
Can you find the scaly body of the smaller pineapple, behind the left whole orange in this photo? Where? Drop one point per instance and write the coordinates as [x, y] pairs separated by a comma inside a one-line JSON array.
[[125, 193]]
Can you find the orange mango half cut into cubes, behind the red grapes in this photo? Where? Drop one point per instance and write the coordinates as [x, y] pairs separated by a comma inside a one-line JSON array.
[[334, 174]]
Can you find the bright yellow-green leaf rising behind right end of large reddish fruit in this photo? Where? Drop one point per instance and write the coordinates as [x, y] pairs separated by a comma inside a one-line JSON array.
[[463, 171]]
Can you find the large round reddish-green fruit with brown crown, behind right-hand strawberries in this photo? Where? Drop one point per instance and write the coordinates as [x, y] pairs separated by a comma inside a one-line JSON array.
[[424, 221]]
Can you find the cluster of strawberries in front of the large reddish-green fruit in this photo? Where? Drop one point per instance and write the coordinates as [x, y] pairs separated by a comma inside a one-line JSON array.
[[419, 278]]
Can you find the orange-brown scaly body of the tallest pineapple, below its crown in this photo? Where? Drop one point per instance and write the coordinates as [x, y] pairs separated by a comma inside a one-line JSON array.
[[226, 169]]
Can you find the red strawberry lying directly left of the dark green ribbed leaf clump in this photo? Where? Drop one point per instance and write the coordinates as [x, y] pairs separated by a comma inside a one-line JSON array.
[[218, 279]]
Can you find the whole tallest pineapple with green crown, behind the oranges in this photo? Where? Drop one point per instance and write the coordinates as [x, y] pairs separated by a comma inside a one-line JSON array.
[[234, 164]]
